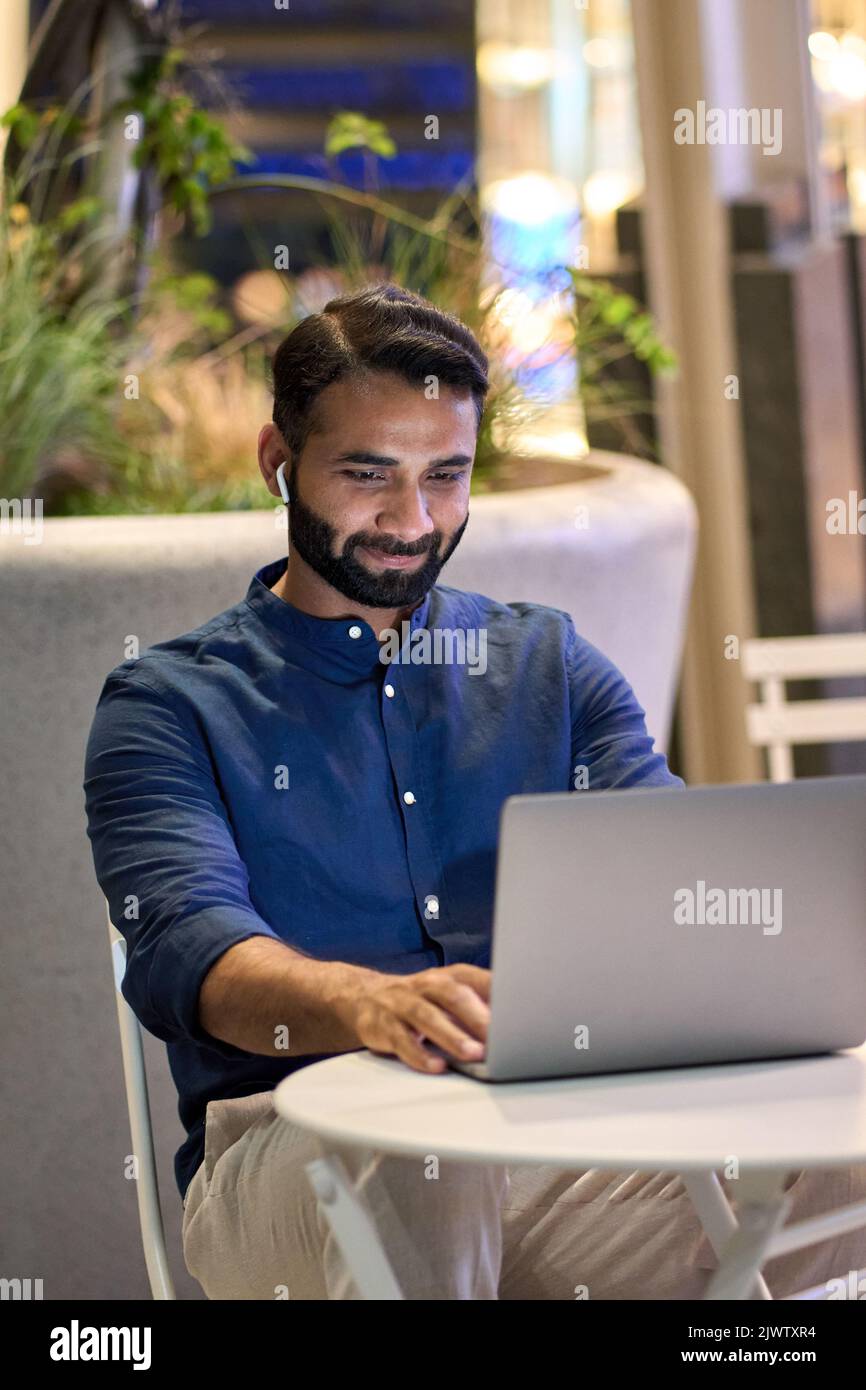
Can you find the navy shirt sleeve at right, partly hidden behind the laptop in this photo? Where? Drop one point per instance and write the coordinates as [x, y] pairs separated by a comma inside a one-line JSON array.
[[610, 736]]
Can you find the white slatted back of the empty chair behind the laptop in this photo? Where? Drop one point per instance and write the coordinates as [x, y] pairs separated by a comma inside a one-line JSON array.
[[776, 723]]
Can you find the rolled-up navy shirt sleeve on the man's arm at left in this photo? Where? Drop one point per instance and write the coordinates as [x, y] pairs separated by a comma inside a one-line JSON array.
[[165, 856]]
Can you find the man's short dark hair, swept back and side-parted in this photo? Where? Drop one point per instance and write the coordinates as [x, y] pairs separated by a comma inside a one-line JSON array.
[[383, 329]]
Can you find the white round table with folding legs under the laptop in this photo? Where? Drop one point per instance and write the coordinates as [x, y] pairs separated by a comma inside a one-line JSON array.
[[765, 1118]]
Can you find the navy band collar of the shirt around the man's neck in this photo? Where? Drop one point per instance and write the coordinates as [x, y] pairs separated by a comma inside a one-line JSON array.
[[345, 643]]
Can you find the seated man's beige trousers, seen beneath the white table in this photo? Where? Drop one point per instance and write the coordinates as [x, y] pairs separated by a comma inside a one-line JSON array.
[[252, 1228]]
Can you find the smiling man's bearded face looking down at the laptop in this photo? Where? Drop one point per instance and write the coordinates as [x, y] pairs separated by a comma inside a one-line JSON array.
[[380, 497]]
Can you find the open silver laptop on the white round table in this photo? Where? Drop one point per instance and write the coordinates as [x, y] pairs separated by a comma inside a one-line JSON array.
[[669, 928]]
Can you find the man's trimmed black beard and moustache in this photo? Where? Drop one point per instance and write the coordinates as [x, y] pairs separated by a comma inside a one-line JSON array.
[[315, 540]]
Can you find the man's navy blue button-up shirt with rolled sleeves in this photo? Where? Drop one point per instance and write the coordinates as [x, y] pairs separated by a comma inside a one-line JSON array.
[[270, 775]]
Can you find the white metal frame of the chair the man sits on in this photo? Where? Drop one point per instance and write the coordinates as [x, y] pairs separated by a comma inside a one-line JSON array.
[[141, 1129]]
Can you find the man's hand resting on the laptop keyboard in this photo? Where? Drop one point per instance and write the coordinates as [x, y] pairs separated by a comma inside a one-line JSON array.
[[448, 1007]]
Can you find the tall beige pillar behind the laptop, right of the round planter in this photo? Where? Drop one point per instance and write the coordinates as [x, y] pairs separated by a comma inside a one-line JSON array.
[[689, 275]]
